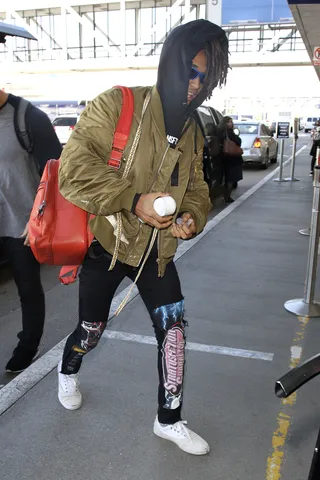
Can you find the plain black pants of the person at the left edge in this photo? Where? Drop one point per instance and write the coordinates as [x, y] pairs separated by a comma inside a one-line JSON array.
[[26, 274]]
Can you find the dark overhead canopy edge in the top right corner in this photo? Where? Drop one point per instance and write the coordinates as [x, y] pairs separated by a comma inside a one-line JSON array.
[[306, 14]]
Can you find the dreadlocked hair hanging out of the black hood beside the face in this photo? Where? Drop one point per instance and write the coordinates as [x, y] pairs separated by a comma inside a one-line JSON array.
[[217, 53]]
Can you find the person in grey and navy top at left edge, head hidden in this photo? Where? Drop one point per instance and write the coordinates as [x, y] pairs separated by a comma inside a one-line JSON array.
[[21, 167]]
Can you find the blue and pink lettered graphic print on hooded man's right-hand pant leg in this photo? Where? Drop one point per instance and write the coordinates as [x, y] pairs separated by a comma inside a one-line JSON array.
[[169, 318]]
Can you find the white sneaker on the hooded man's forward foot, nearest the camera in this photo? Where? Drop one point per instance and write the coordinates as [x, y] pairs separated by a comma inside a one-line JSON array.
[[182, 436]]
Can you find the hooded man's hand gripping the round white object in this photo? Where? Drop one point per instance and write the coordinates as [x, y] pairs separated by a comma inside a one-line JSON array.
[[145, 211]]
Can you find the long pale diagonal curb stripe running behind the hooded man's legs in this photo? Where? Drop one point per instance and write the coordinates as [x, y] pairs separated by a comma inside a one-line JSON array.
[[21, 384]]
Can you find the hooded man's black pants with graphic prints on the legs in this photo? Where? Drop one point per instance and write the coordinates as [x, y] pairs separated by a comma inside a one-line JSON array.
[[164, 301]]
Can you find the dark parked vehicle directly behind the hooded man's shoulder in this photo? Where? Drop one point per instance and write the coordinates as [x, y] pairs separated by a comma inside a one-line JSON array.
[[208, 120]]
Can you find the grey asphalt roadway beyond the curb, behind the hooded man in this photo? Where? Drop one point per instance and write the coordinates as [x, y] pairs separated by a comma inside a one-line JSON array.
[[57, 326]]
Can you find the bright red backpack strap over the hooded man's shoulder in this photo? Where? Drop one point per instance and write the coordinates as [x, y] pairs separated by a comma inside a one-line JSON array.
[[123, 127]]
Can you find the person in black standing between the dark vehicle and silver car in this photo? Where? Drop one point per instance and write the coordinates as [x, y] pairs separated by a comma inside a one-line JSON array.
[[232, 165]]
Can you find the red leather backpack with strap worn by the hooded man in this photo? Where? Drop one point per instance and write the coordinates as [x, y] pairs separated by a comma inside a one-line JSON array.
[[58, 230]]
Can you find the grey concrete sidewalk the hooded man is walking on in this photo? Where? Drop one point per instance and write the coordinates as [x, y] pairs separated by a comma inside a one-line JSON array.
[[235, 280]]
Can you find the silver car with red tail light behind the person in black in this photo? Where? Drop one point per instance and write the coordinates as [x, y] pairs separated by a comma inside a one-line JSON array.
[[258, 144]]
